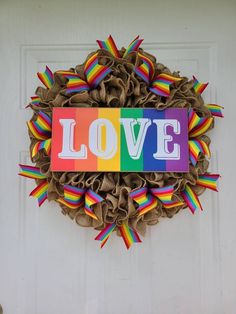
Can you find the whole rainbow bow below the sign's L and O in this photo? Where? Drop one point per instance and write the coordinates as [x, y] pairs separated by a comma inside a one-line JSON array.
[[75, 197]]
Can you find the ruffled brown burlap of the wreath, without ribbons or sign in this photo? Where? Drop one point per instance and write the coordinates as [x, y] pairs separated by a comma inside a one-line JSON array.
[[121, 88]]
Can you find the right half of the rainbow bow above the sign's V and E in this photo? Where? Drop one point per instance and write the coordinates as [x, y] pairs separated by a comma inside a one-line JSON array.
[[161, 84]]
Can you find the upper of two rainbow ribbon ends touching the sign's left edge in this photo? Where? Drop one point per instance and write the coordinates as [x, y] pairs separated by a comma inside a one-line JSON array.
[[41, 127]]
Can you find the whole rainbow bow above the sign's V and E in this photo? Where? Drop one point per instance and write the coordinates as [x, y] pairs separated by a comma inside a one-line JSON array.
[[159, 85]]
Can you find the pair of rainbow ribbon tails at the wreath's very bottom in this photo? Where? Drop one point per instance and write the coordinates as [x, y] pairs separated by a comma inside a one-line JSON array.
[[129, 235]]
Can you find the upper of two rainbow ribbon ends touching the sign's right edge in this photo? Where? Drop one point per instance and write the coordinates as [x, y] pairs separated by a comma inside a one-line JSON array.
[[198, 126]]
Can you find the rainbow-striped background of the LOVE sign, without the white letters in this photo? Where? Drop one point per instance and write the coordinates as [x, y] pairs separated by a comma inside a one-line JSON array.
[[120, 159]]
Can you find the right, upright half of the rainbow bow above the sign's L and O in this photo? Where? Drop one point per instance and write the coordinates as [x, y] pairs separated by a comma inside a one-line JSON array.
[[95, 72]]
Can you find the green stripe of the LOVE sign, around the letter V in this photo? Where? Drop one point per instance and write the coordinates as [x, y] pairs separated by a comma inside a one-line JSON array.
[[127, 163]]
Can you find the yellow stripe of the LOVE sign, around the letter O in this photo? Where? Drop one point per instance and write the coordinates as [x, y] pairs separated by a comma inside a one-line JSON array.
[[113, 163]]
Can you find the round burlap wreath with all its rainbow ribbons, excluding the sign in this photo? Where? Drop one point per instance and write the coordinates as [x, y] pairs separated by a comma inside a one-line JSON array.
[[119, 201]]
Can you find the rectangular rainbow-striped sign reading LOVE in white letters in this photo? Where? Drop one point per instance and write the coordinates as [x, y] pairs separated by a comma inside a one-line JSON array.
[[119, 139]]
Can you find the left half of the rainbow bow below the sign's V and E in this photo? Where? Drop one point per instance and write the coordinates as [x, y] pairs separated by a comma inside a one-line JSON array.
[[145, 201]]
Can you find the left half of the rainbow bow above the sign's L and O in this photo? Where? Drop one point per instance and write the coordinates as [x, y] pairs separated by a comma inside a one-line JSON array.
[[75, 84]]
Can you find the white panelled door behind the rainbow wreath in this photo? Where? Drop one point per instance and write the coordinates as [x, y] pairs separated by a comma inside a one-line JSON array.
[[49, 265]]
